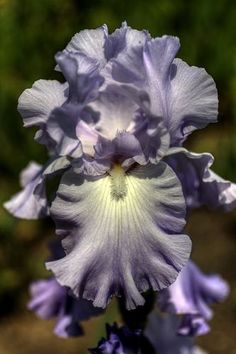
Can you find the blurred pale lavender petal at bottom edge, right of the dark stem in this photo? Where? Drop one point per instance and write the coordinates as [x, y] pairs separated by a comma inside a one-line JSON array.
[[161, 331]]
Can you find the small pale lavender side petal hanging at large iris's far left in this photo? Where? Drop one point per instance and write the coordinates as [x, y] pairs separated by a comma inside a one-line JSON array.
[[30, 203]]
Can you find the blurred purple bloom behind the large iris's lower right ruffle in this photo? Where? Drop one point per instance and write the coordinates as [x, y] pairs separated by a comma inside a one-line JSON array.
[[191, 294]]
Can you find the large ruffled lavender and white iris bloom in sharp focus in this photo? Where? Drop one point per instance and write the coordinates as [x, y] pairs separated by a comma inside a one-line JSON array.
[[114, 131]]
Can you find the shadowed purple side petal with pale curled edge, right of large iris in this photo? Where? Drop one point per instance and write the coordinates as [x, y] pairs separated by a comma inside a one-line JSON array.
[[201, 186]]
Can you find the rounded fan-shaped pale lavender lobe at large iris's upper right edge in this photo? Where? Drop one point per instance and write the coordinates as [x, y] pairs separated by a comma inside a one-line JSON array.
[[193, 100]]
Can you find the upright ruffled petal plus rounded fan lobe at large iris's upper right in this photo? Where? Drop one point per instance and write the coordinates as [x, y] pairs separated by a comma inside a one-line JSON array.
[[184, 97]]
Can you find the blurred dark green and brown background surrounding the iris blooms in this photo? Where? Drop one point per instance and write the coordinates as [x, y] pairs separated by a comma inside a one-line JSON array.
[[31, 32]]
